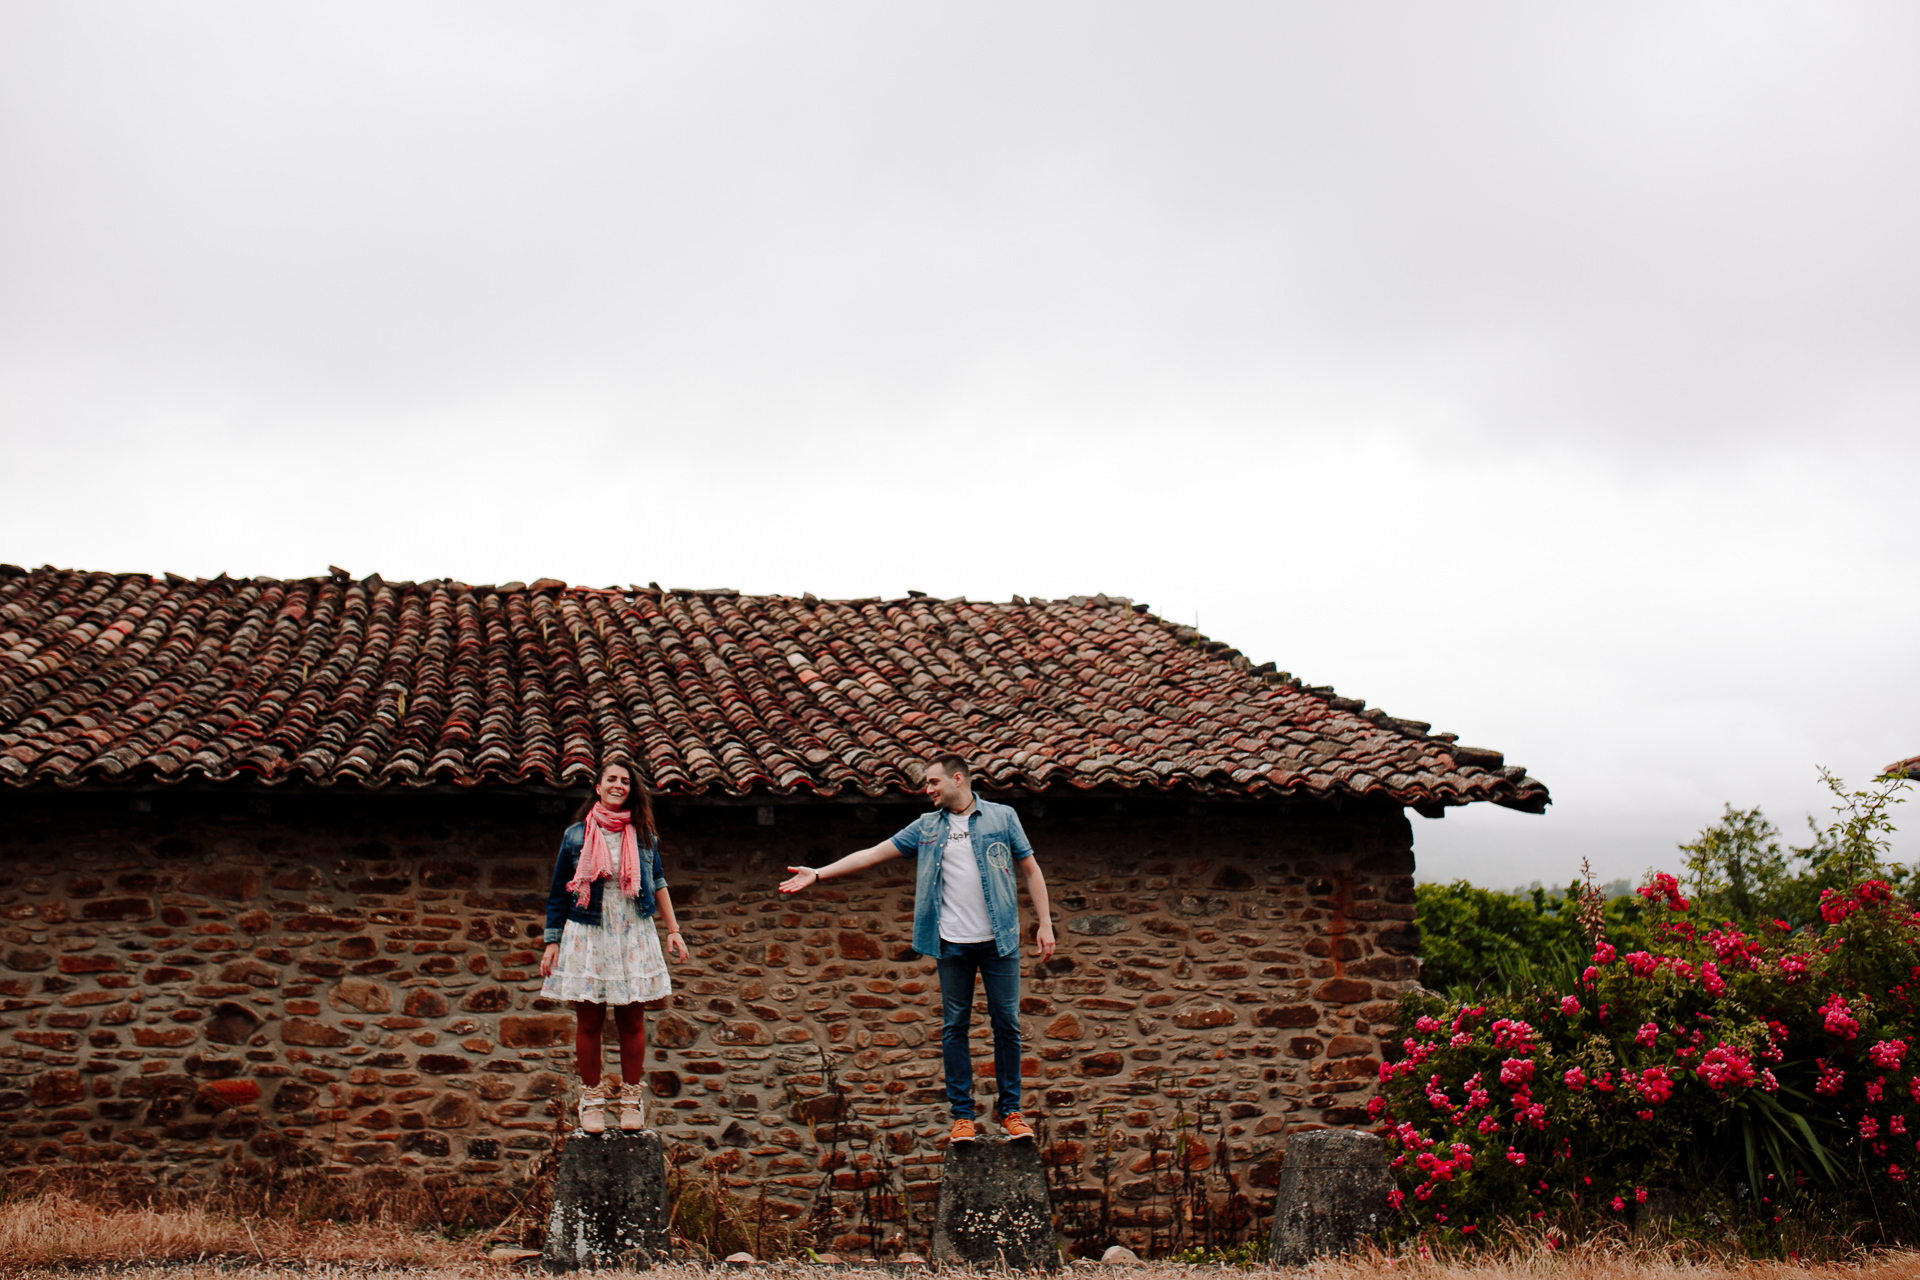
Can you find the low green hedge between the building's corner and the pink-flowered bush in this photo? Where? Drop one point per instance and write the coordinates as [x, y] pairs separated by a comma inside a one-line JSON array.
[[1481, 941]]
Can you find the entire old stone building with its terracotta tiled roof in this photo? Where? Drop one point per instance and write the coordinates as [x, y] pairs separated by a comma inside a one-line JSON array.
[[274, 859]]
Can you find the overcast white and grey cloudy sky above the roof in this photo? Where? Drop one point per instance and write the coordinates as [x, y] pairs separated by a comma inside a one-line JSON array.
[[1541, 371]]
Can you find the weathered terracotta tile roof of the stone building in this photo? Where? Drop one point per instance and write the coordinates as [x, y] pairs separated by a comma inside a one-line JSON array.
[[124, 678]]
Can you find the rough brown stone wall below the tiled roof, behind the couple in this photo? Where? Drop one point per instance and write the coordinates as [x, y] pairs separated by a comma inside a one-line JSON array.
[[193, 982]]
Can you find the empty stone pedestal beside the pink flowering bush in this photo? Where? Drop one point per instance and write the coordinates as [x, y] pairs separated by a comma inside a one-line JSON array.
[[1332, 1197]]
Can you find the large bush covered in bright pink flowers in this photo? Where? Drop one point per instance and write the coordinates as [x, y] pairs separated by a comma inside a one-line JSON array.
[[1748, 1064]]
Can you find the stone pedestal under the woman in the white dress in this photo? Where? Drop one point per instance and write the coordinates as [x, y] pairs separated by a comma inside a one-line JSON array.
[[610, 1202]]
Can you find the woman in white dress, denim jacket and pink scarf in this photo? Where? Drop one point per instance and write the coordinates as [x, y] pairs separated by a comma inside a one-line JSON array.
[[602, 941]]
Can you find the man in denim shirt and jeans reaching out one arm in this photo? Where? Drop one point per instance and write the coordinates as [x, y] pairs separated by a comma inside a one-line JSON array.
[[967, 918]]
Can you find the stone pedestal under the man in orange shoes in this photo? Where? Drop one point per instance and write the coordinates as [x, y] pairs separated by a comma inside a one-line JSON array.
[[994, 1208]]
